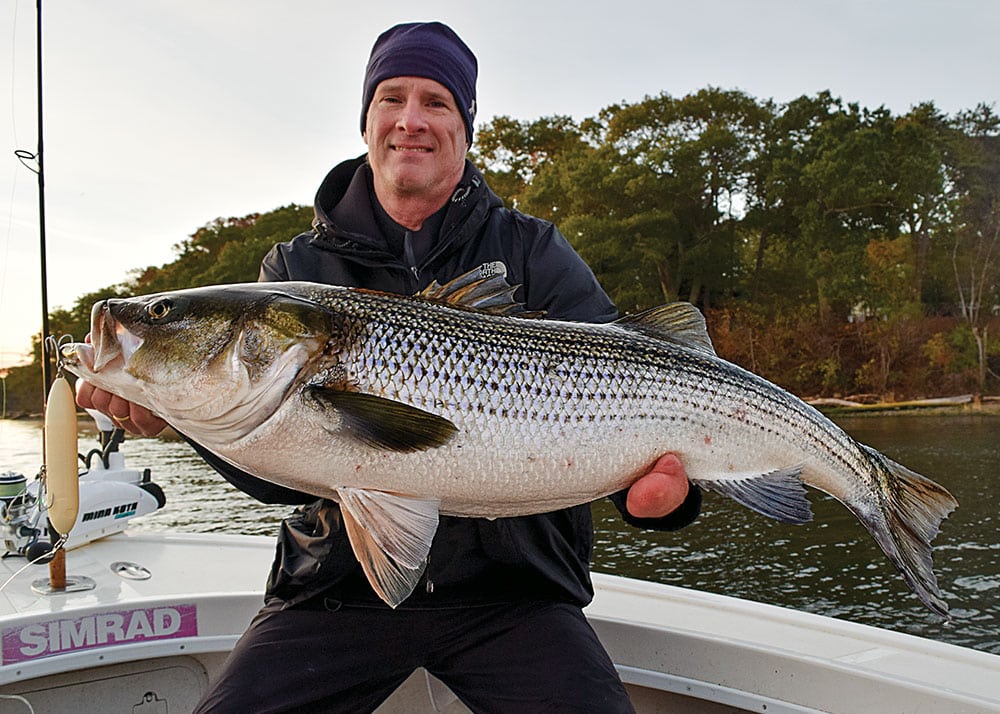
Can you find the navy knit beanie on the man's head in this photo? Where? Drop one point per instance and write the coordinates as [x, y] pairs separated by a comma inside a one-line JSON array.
[[424, 49]]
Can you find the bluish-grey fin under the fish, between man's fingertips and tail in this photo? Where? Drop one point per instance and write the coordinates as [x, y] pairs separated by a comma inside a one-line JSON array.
[[778, 494]]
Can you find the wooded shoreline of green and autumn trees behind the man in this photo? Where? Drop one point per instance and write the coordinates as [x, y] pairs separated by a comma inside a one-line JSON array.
[[834, 249]]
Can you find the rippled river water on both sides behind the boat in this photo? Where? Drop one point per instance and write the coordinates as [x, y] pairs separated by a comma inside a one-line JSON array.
[[830, 566]]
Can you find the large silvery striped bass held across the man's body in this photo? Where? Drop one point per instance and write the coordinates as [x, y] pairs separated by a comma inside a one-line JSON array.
[[401, 408]]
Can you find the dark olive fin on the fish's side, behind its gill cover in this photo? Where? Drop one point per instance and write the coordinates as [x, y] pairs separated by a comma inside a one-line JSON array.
[[384, 423]]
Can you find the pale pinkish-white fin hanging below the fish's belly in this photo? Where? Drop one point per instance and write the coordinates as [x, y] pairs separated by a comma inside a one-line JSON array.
[[391, 536]]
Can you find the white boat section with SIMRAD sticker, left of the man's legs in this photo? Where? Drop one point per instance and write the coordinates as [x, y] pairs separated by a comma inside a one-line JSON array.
[[103, 650]]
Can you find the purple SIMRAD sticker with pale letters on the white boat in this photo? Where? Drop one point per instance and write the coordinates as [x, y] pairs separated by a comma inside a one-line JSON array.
[[103, 629]]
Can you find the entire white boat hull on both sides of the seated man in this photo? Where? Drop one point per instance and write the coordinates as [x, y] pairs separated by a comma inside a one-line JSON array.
[[153, 645]]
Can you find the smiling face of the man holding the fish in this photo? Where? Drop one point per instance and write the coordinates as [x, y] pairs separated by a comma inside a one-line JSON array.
[[416, 138]]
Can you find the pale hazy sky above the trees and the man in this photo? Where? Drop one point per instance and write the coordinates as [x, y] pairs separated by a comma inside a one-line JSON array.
[[163, 115]]
